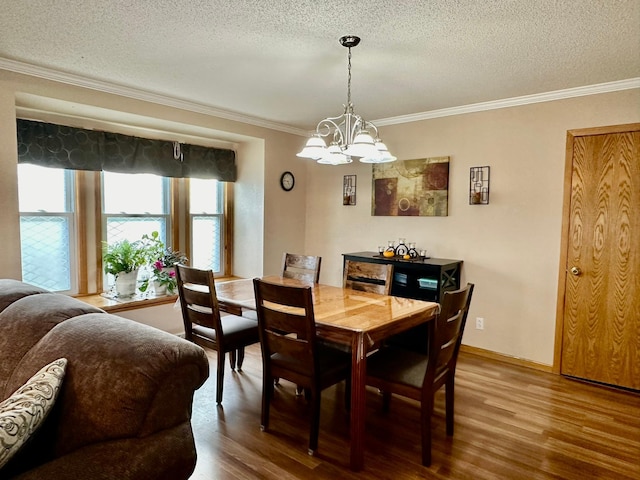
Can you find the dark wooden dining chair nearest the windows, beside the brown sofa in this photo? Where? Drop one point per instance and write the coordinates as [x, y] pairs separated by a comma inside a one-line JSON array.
[[204, 325]]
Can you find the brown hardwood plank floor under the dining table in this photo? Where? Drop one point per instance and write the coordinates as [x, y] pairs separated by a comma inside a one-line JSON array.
[[510, 423]]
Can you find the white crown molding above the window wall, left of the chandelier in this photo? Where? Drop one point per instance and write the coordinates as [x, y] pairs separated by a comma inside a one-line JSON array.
[[138, 94]]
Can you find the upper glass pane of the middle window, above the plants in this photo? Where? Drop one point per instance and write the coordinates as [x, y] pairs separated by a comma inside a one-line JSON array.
[[133, 193]]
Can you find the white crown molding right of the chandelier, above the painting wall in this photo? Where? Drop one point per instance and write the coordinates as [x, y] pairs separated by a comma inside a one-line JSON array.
[[515, 101]]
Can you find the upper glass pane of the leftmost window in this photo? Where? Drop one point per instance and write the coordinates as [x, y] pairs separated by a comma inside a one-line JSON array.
[[42, 189]]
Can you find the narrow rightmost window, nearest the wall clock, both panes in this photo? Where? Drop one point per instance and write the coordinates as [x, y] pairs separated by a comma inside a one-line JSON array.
[[206, 213]]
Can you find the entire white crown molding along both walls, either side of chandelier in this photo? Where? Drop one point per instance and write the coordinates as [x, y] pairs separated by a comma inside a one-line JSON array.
[[138, 94]]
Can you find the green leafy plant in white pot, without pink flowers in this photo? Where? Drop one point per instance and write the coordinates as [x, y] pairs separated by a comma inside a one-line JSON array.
[[122, 260]]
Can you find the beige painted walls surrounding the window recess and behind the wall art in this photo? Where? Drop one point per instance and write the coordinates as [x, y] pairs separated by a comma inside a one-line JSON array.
[[510, 248]]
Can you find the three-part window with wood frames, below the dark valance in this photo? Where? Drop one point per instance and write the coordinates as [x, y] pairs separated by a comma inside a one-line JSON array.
[[131, 205]]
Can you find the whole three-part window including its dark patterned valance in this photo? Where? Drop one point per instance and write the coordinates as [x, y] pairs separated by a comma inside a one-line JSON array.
[[66, 215]]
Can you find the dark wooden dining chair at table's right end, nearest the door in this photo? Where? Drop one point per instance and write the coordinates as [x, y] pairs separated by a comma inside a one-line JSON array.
[[408, 373]]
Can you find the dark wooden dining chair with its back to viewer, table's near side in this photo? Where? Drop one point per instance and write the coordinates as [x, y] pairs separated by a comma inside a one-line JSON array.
[[290, 350]]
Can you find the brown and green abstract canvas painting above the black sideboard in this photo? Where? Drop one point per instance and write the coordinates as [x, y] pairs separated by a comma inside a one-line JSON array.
[[411, 188]]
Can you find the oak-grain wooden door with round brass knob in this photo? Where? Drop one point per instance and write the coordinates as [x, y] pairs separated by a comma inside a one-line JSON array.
[[601, 307]]
